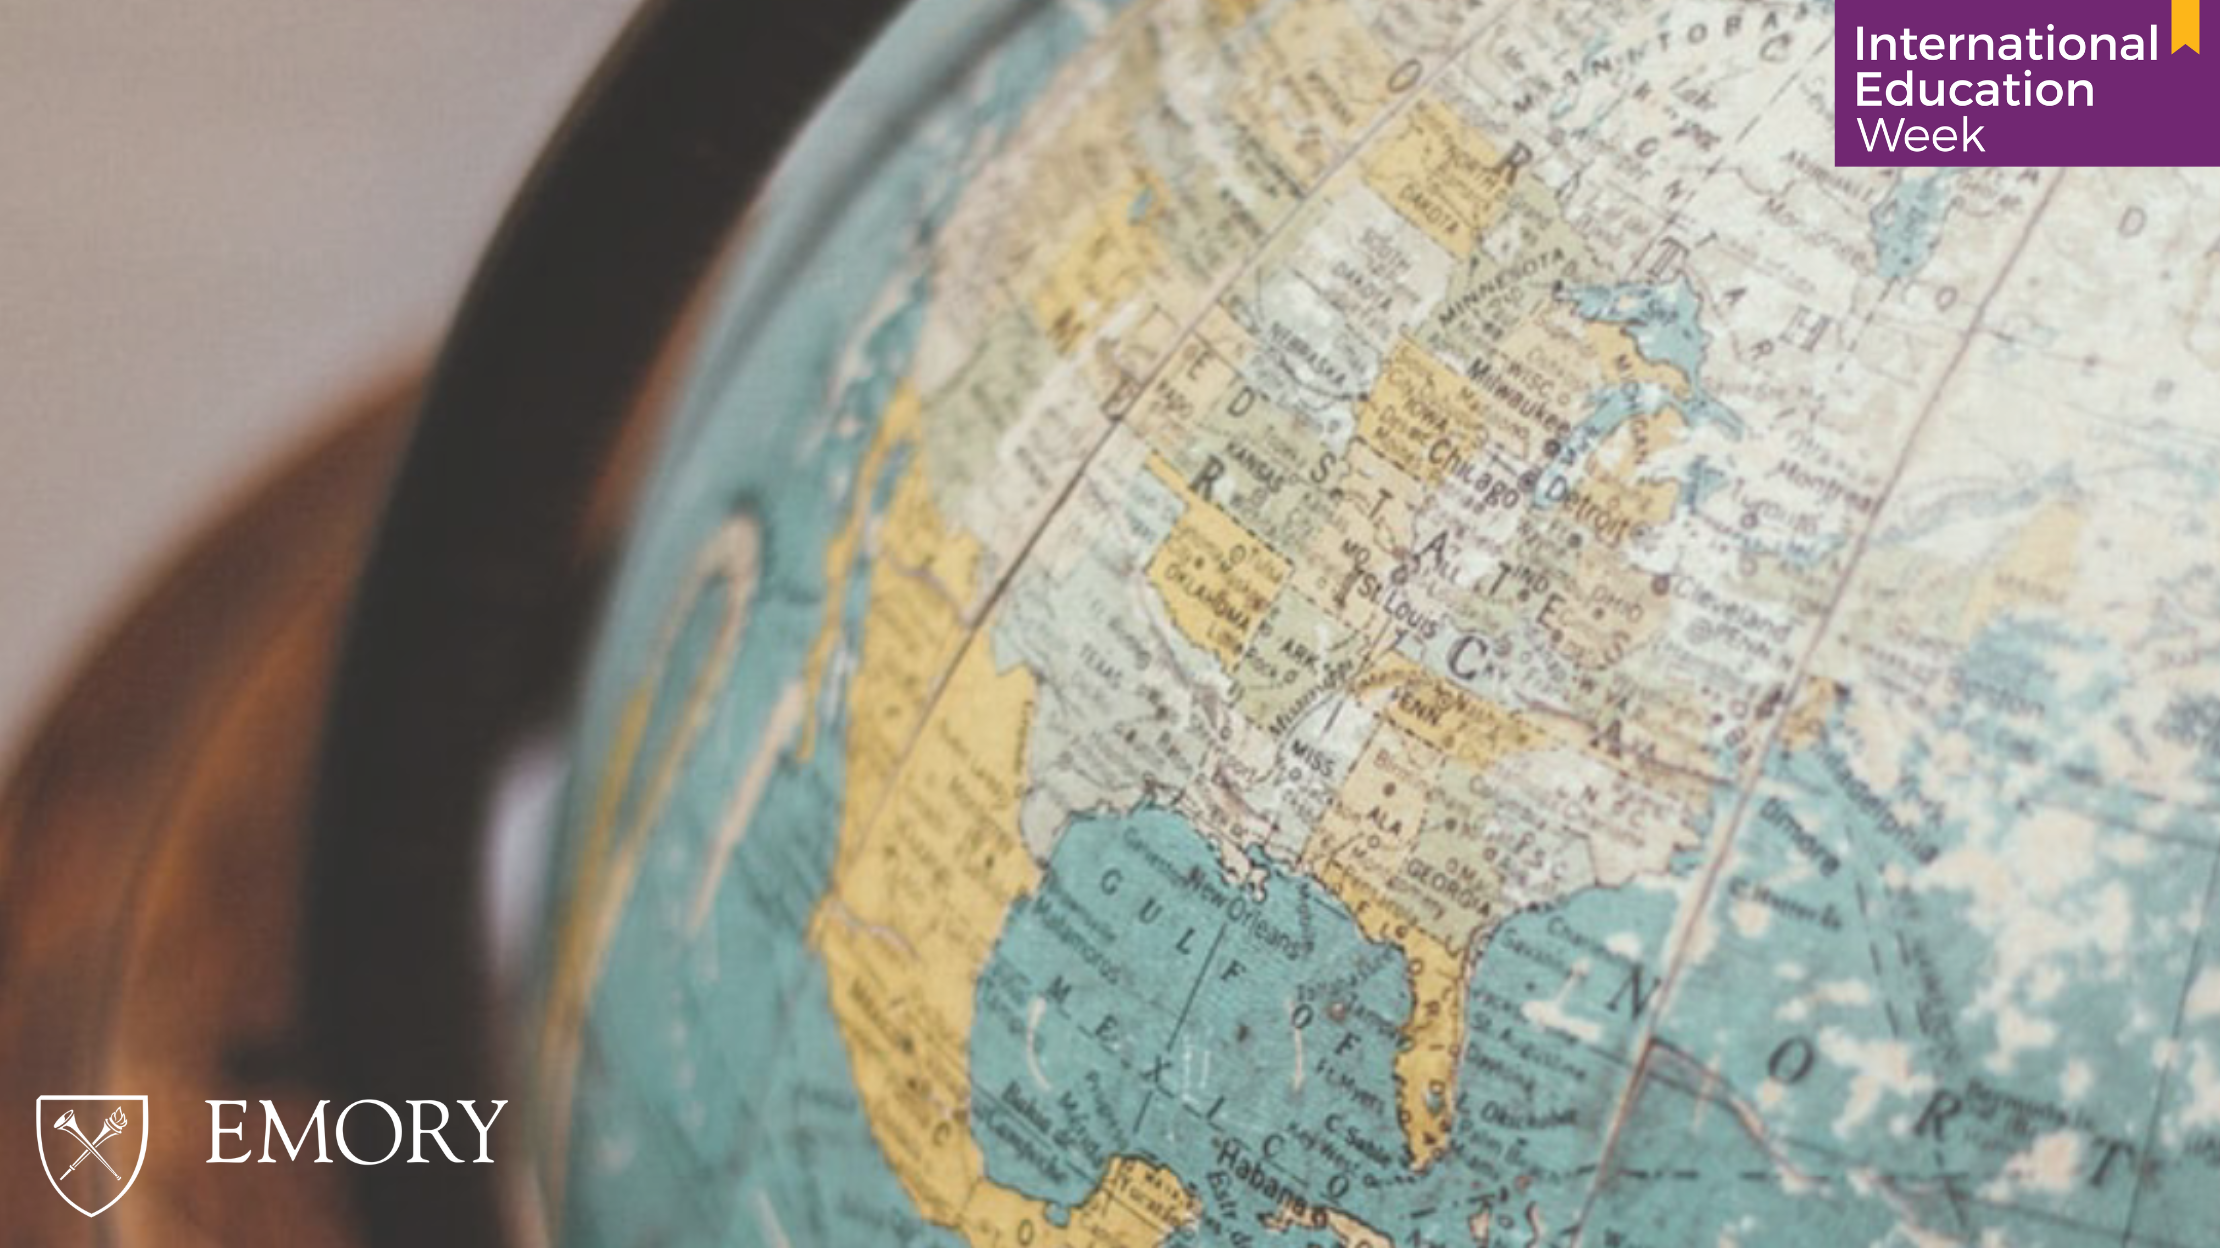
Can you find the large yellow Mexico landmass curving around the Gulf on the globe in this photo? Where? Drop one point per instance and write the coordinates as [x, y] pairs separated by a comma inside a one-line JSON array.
[[929, 863]]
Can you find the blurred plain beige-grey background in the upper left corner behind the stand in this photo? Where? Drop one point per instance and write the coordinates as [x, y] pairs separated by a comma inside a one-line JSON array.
[[216, 219]]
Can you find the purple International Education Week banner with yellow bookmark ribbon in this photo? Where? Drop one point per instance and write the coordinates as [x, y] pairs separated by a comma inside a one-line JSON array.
[[2024, 83]]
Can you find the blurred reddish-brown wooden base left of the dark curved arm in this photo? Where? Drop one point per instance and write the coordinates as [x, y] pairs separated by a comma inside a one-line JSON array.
[[152, 858]]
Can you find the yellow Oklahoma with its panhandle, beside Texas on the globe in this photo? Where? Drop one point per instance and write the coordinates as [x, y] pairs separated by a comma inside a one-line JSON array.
[[1218, 581]]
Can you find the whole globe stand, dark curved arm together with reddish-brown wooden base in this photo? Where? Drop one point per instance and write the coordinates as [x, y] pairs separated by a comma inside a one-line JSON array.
[[168, 920]]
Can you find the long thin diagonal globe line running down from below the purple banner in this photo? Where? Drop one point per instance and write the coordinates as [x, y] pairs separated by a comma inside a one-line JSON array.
[[1737, 821]]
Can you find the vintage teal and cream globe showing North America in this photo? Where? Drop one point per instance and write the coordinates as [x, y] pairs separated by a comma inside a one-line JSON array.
[[1404, 623]]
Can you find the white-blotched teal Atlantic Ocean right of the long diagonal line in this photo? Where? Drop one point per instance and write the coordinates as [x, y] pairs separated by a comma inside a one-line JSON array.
[[1870, 989]]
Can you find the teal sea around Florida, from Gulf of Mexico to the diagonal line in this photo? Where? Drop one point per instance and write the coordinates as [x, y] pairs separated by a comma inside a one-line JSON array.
[[1140, 1005]]
